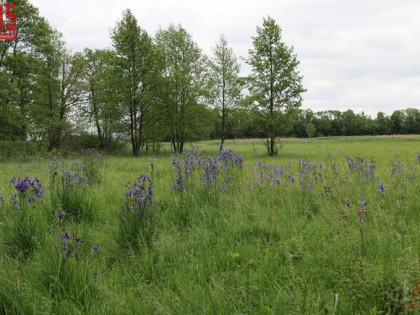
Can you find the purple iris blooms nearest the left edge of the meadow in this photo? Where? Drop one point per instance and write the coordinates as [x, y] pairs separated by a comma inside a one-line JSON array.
[[27, 189]]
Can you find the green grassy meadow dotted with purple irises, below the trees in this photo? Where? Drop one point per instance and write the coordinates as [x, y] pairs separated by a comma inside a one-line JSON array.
[[330, 225]]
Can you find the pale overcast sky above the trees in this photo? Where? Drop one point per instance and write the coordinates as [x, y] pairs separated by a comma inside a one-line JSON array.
[[358, 54]]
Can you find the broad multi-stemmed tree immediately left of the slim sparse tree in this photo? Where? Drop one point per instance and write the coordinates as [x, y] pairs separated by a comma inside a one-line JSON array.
[[183, 92]]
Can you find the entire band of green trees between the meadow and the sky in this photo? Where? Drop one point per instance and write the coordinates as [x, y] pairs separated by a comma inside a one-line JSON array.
[[148, 89]]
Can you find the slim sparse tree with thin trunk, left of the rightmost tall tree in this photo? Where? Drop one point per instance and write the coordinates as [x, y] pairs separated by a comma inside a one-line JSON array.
[[225, 87]]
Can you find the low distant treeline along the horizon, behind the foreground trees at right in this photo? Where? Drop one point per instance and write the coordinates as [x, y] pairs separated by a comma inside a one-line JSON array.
[[307, 123]]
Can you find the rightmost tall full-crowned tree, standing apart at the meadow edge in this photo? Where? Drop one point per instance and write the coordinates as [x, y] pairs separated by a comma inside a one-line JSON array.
[[275, 83]]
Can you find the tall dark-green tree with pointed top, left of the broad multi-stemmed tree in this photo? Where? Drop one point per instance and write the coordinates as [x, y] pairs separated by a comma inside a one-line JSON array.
[[135, 52]]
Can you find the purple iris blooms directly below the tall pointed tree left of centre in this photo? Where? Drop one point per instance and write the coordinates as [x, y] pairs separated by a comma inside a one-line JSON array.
[[139, 196]]
